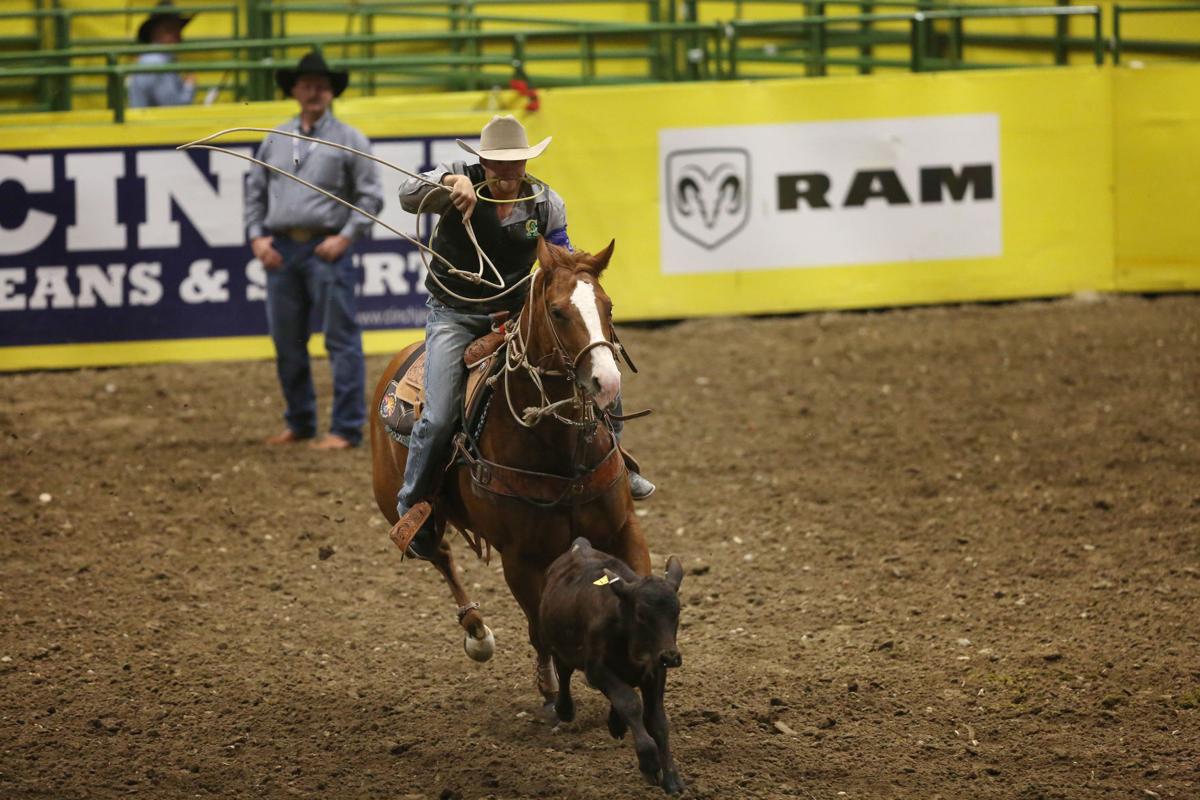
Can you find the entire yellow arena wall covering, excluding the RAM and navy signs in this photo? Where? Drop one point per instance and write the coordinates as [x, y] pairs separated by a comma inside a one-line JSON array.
[[1095, 184]]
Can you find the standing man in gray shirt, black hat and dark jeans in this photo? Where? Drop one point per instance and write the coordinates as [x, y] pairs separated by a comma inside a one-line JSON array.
[[304, 240]]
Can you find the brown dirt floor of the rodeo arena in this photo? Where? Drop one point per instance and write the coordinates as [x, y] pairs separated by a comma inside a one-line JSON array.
[[932, 554]]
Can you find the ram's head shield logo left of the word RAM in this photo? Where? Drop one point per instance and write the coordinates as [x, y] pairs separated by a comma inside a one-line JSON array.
[[709, 194]]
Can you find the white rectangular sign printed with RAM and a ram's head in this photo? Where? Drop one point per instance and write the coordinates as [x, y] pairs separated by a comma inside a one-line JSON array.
[[760, 197]]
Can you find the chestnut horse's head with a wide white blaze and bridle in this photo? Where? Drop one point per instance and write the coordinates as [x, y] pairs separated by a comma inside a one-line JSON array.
[[572, 314]]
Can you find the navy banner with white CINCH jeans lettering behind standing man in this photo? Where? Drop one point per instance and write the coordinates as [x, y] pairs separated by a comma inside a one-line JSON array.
[[118, 245]]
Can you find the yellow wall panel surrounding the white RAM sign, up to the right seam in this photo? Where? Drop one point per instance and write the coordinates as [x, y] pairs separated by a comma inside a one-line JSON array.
[[1057, 178]]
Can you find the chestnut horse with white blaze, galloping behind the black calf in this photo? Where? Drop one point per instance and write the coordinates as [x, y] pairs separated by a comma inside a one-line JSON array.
[[571, 477]]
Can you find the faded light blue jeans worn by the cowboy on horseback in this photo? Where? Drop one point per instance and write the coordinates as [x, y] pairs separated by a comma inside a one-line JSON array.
[[448, 333]]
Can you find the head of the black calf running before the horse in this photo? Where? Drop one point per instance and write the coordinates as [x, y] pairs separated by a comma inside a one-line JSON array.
[[651, 607]]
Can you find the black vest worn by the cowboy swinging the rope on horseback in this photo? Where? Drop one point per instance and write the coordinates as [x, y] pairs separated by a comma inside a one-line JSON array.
[[512, 245]]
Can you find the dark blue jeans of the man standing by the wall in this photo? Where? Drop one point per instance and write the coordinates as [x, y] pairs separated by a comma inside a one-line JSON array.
[[303, 284]]
